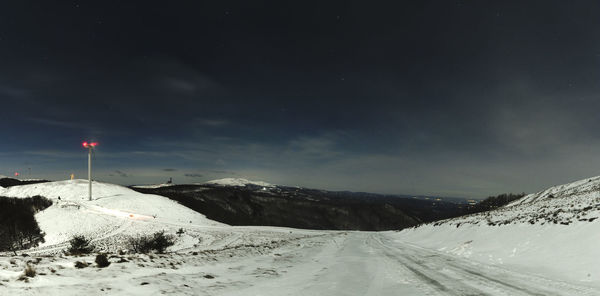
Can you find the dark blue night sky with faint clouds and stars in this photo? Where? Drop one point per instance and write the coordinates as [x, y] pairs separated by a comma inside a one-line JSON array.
[[451, 98]]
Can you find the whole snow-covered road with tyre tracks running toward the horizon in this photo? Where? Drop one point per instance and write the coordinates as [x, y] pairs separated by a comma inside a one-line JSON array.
[[375, 264]]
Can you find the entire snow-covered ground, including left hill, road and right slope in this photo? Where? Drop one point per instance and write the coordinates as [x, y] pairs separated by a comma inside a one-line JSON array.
[[464, 256]]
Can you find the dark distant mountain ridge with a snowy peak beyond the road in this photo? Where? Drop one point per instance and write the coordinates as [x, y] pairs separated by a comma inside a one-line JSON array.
[[244, 202]]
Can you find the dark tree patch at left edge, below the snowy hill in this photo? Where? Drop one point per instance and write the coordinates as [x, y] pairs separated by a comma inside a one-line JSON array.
[[18, 228]]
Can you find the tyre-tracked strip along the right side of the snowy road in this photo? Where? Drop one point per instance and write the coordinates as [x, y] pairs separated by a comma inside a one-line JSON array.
[[441, 274]]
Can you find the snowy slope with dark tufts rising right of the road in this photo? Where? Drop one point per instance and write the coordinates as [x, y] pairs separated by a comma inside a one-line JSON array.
[[554, 232]]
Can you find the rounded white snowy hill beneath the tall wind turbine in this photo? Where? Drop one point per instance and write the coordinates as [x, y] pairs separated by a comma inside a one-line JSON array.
[[114, 210]]
